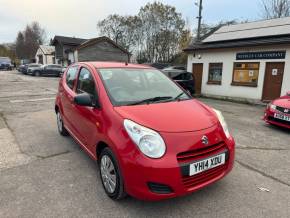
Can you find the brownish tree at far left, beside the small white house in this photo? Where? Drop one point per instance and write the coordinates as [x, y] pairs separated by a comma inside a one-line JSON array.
[[28, 41]]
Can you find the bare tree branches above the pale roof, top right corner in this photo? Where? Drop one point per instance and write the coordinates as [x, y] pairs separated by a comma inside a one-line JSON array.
[[275, 8]]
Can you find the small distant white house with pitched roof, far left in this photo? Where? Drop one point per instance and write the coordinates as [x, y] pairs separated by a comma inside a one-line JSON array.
[[45, 55]]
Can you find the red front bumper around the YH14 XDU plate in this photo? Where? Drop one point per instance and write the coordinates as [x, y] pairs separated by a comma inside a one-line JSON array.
[[139, 171]]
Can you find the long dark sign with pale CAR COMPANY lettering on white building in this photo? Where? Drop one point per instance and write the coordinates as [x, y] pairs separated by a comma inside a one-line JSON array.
[[261, 55]]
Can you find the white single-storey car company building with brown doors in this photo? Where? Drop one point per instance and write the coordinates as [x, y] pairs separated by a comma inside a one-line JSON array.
[[248, 61]]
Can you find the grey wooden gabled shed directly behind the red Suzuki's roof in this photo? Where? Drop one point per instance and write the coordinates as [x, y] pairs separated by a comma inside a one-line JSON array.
[[100, 49]]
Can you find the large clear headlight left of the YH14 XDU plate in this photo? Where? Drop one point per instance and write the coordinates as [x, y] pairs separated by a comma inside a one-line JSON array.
[[149, 141]]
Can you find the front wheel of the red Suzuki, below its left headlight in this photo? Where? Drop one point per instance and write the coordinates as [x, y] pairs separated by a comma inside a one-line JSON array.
[[110, 174]]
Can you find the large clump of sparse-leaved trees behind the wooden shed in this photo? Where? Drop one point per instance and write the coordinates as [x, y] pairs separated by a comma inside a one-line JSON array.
[[152, 35]]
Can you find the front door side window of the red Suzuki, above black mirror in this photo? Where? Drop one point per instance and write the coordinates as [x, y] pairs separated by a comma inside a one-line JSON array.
[[86, 82]]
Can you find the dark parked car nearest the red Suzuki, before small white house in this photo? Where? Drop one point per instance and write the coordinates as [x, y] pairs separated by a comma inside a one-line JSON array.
[[46, 70]]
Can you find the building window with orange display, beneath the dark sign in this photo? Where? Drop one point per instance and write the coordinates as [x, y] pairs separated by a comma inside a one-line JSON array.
[[246, 74]]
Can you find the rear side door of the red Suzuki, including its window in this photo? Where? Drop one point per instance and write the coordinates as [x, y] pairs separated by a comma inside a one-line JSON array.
[[67, 94]]
